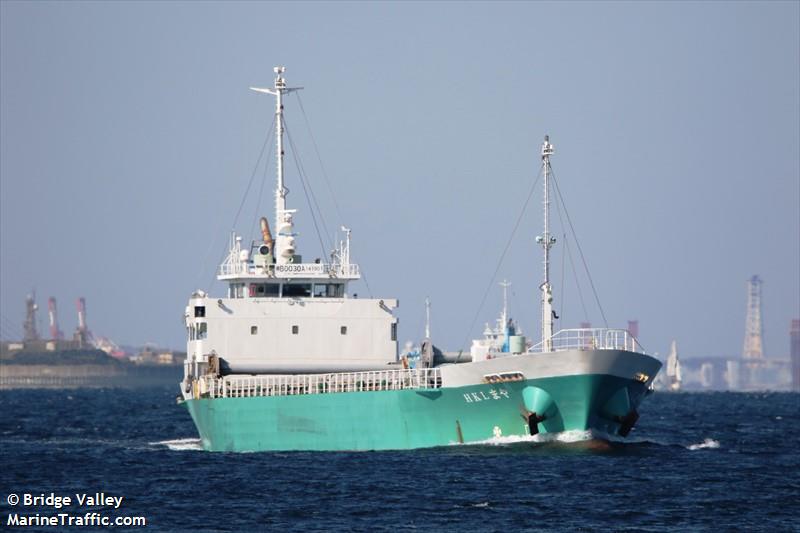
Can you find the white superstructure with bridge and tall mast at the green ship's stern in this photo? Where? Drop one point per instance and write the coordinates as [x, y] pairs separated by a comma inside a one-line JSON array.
[[284, 316]]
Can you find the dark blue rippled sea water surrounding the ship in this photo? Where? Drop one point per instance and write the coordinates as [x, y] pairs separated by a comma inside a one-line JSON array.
[[694, 462]]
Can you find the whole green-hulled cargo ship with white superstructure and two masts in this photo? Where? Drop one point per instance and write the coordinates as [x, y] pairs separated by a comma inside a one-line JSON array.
[[288, 359]]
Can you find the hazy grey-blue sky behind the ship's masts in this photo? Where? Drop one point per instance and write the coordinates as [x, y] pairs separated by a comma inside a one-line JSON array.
[[128, 136]]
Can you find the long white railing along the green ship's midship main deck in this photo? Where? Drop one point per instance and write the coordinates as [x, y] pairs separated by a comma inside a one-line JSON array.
[[290, 385]]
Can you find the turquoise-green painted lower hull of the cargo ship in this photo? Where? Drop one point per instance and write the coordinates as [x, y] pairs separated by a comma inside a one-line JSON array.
[[407, 419]]
